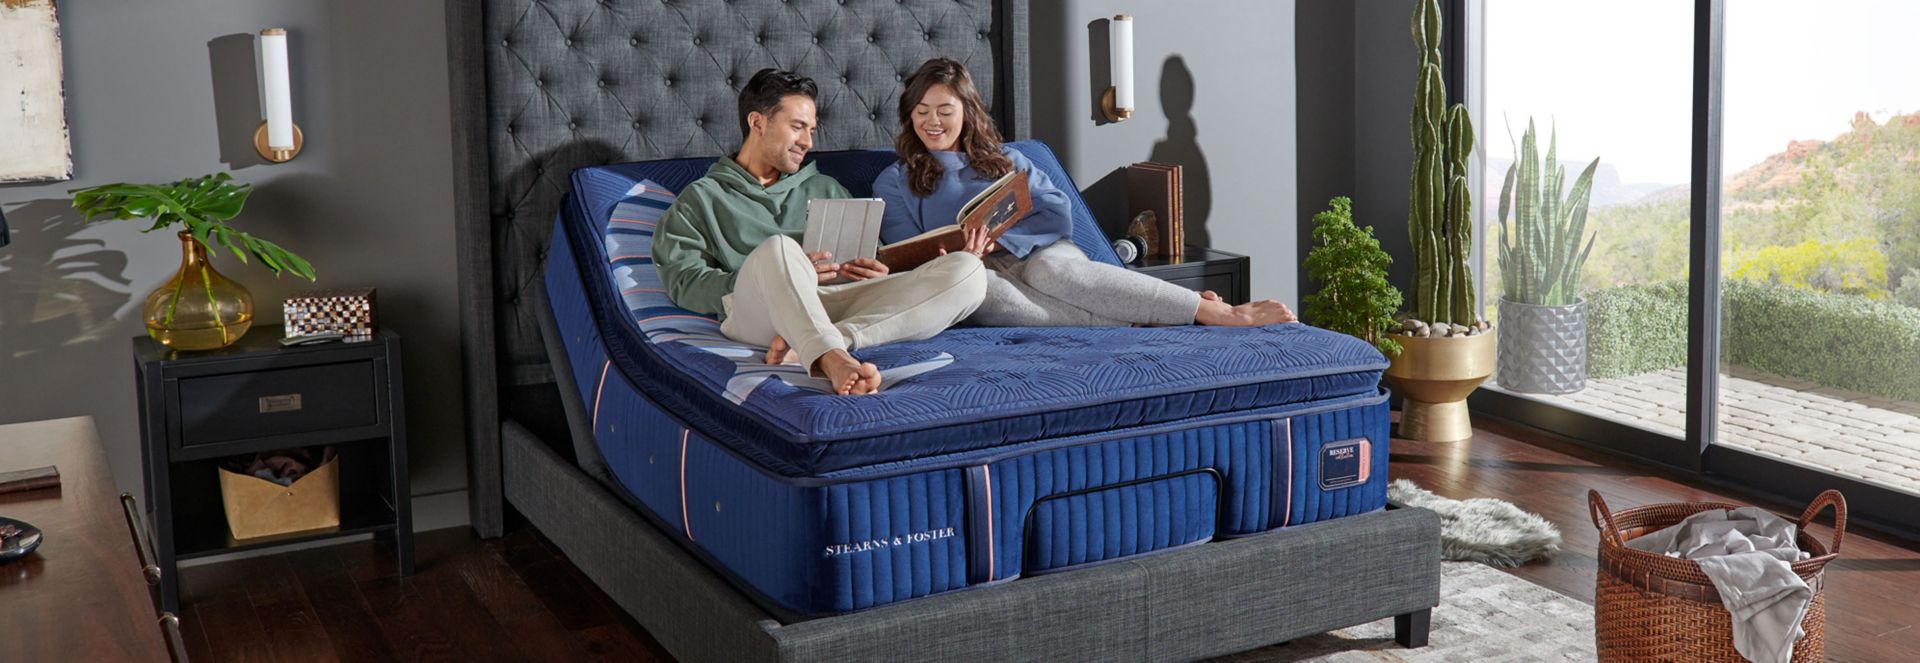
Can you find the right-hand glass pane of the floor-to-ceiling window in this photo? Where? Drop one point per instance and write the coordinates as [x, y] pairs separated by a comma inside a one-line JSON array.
[[1821, 237]]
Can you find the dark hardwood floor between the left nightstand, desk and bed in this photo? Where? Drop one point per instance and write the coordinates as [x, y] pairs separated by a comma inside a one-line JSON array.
[[514, 599]]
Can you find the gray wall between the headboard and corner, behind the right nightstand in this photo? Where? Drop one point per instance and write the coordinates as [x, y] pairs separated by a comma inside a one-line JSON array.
[[1214, 95]]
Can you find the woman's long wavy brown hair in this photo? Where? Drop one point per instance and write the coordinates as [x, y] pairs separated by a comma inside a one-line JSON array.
[[978, 139]]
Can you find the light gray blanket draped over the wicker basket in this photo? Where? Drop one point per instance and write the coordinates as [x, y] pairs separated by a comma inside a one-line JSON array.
[[1748, 554]]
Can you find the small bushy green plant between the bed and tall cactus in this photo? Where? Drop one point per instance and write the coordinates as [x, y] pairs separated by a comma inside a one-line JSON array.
[[1351, 268]]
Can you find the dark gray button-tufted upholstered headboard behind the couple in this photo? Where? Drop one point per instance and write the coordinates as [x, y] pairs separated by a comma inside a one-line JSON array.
[[544, 87]]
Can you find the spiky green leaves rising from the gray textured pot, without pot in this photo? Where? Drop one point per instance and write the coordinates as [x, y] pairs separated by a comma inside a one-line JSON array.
[[1541, 257]]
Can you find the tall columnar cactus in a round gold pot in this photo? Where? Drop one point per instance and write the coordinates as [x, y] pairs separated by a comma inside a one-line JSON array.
[[1447, 351]]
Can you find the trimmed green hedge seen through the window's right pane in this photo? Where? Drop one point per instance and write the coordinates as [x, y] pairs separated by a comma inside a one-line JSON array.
[[1831, 339]]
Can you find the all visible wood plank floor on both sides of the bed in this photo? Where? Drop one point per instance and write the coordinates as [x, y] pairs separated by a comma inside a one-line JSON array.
[[517, 599]]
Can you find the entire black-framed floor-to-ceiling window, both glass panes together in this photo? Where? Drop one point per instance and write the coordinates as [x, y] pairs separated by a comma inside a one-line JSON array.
[[1813, 376]]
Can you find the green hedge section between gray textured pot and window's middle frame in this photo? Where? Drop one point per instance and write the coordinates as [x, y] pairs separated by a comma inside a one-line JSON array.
[[1635, 330]]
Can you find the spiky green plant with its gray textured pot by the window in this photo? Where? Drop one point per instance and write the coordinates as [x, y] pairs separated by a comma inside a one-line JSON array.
[[1541, 258]]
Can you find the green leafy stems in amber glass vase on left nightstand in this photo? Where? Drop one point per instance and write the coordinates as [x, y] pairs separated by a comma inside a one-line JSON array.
[[199, 308]]
